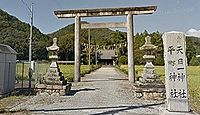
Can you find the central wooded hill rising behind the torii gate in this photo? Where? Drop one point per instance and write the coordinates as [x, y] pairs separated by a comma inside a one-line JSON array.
[[101, 37]]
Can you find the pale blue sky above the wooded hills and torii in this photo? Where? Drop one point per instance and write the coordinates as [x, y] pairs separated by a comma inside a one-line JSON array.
[[171, 15]]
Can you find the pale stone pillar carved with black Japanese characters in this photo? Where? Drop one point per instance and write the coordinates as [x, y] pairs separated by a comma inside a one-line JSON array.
[[175, 73]]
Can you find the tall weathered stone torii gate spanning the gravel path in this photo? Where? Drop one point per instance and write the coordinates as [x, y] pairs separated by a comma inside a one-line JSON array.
[[128, 11]]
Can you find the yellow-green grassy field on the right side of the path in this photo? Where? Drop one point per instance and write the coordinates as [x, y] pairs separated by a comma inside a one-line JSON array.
[[193, 78]]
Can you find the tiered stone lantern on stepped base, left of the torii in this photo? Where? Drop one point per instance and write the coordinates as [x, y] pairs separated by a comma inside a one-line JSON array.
[[53, 82]]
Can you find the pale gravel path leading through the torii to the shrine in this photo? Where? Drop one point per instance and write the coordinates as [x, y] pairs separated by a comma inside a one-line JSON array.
[[105, 91]]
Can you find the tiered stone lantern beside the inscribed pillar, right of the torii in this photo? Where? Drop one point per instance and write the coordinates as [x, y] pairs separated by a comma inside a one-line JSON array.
[[149, 85]]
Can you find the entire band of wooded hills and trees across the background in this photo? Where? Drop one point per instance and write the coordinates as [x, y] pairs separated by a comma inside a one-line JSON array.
[[15, 33]]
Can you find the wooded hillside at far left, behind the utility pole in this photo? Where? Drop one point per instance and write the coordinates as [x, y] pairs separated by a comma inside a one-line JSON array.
[[15, 33]]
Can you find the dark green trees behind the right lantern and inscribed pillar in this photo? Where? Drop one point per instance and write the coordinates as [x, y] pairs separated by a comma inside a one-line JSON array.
[[192, 45]]
